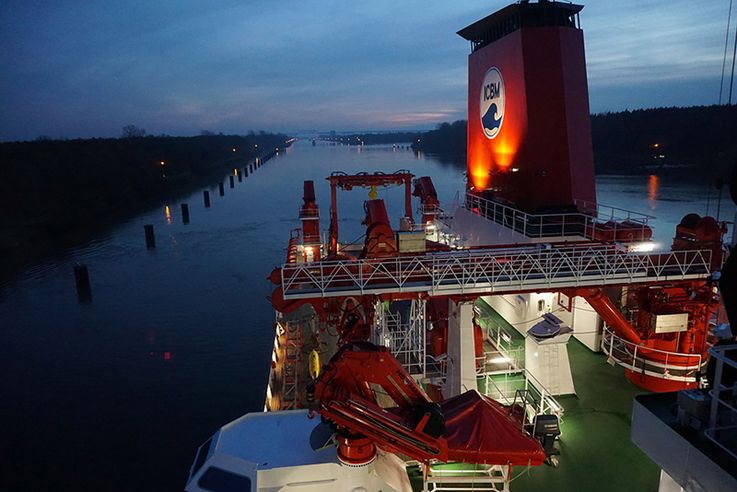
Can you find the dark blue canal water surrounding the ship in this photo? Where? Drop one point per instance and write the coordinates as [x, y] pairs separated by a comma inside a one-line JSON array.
[[117, 393]]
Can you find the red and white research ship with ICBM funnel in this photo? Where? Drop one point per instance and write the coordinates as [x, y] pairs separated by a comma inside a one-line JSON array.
[[385, 372]]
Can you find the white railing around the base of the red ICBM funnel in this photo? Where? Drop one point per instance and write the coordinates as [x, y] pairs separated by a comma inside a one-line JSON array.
[[606, 221]]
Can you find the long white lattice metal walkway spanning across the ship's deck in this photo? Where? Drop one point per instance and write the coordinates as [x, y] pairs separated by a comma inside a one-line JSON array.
[[493, 270]]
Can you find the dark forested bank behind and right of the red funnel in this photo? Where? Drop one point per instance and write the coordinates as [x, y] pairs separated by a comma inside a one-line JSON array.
[[695, 142]]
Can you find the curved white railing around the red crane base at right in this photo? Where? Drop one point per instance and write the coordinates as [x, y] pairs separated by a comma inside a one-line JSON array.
[[673, 366]]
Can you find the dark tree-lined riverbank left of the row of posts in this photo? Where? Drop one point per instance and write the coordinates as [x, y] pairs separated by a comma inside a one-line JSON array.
[[56, 194]]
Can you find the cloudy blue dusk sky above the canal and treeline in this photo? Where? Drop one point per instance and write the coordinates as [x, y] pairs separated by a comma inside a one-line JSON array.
[[87, 68]]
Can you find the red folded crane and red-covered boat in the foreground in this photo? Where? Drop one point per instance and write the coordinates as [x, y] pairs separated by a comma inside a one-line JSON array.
[[374, 402]]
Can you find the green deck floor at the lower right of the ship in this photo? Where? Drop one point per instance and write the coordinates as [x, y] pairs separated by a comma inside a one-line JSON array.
[[596, 450]]
